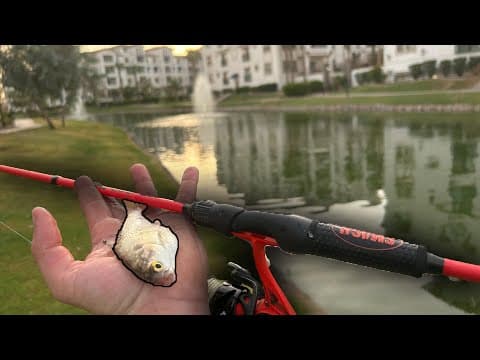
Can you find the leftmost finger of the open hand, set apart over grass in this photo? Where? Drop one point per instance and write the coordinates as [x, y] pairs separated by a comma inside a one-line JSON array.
[[53, 259]]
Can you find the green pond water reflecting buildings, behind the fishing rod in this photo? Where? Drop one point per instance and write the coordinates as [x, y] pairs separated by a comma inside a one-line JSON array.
[[409, 176]]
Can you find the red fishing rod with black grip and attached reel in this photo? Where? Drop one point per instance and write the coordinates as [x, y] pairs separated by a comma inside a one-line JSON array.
[[291, 233]]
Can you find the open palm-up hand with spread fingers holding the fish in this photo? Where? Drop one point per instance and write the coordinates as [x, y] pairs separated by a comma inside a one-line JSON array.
[[101, 284]]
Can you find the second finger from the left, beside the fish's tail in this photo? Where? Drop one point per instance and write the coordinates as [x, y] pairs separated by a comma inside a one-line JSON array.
[[94, 207]]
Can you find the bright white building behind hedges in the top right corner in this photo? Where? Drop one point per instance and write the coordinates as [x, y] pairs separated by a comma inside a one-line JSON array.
[[398, 58]]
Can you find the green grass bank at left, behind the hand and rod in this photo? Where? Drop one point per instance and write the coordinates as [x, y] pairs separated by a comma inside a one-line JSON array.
[[104, 153]]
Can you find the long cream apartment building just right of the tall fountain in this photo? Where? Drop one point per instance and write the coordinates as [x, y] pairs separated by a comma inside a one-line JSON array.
[[231, 66]]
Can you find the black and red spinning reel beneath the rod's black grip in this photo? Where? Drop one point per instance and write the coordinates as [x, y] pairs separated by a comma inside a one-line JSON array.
[[237, 297]]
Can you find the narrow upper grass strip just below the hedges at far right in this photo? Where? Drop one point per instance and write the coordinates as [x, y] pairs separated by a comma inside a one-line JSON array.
[[421, 85]]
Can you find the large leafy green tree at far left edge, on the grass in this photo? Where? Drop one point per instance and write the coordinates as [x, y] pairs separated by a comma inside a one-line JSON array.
[[40, 75]]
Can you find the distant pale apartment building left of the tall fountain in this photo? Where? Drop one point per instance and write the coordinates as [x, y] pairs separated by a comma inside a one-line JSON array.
[[131, 65]]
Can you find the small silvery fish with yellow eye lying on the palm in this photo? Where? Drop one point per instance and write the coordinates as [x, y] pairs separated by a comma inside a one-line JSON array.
[[148, 249]]
